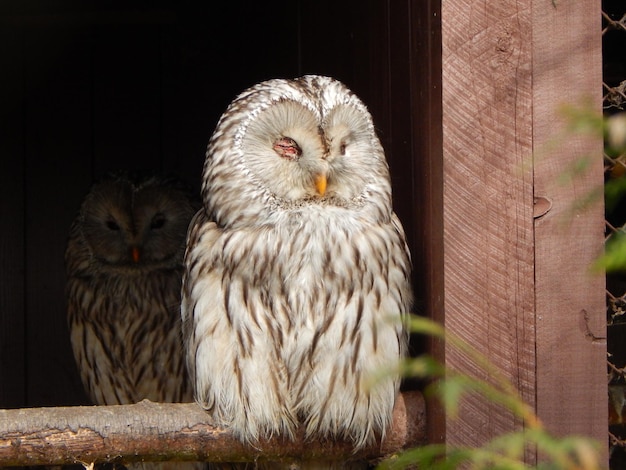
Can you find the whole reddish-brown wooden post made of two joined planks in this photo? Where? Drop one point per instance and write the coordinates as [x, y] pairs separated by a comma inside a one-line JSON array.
[[519, 288]]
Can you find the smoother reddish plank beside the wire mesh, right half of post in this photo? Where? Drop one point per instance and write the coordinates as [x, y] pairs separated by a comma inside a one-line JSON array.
[[571, 324]]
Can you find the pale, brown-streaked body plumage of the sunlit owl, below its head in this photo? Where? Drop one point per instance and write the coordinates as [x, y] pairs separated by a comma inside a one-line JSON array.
[[291, 322]]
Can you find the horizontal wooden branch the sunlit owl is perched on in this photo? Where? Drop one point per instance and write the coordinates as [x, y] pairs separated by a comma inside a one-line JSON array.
[[166, 431]]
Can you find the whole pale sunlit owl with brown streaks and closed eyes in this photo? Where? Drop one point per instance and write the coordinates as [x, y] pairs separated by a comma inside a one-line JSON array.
[[297, 273]]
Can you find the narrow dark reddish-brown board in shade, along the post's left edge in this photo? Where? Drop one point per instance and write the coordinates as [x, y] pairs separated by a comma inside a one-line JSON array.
[[428, 254]]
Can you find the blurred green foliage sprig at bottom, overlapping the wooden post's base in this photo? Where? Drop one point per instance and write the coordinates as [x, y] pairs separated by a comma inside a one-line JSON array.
[[504, 452]]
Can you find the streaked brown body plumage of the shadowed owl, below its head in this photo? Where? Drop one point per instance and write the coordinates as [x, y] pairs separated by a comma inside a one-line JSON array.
[[126, 337]]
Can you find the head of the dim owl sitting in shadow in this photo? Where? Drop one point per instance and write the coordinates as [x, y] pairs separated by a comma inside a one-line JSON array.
[[136, 221]]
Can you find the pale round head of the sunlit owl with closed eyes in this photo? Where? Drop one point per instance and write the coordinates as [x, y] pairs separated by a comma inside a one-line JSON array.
[[287, 143]]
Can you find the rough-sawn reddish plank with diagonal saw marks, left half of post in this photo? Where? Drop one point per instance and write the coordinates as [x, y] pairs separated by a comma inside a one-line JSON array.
[[487, 201]]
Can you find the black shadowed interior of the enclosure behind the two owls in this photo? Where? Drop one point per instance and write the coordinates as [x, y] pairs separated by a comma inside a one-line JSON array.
[[92, 86]]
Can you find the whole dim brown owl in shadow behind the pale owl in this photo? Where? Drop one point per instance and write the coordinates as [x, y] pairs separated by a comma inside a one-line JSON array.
[[124, 267]]
